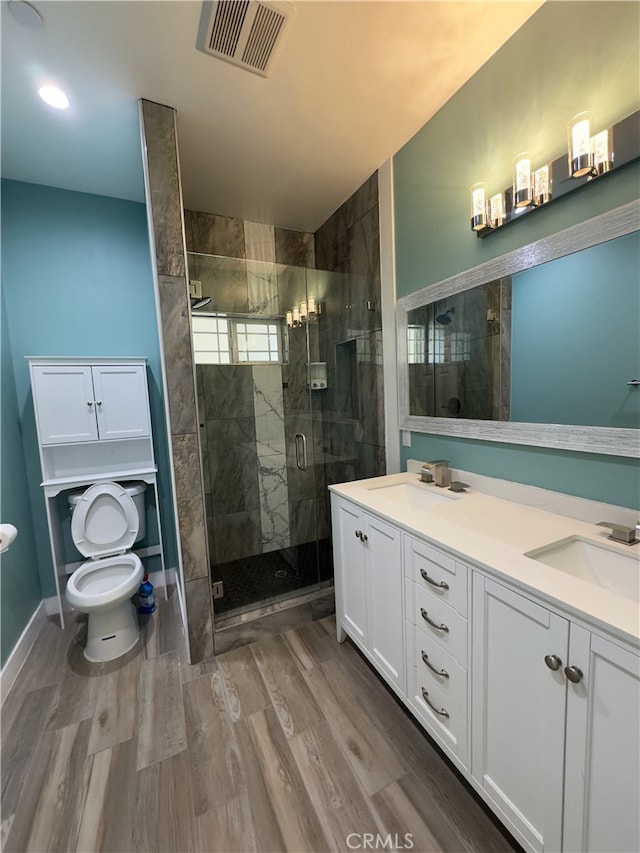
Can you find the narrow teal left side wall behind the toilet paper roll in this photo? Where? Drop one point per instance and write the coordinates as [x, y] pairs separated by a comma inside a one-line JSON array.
[[20, 591]]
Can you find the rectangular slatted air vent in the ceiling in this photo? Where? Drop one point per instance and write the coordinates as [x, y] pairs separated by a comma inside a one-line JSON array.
[[247, 33]]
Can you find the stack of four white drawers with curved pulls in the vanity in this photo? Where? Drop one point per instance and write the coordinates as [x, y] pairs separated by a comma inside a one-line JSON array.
[[436, 644]]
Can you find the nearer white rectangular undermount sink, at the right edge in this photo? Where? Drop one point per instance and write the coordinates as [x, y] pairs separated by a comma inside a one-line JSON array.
[[595, 563]]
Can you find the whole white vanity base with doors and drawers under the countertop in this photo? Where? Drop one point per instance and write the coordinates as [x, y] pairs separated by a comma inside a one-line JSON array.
[[551, 705]]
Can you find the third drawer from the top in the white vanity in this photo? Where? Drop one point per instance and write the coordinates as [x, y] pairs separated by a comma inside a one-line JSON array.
[[436, 668]]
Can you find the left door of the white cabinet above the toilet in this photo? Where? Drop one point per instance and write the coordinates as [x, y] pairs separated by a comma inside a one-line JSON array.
[[64, 403]]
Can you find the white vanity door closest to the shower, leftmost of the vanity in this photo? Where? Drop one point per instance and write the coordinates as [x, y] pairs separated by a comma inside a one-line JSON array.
[[349, 555]]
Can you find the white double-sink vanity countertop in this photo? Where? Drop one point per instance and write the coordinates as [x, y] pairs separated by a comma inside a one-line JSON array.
[[493, 534]]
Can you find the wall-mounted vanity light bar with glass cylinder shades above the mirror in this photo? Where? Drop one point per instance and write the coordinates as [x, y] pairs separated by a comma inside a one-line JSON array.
[[588, 157]]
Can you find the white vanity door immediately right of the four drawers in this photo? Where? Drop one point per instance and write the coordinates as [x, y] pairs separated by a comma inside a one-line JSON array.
[[518, 711]]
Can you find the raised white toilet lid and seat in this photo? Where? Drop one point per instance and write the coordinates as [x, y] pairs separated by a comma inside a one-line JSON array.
[[105, 521]]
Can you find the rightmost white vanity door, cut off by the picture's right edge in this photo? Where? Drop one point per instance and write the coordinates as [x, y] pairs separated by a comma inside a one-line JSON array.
[[602, 787]]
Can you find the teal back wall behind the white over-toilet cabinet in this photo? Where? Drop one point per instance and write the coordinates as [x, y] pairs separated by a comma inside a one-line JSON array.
[[77, 281]]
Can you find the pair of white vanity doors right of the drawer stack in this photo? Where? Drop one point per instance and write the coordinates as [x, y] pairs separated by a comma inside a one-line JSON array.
[[555, 743]]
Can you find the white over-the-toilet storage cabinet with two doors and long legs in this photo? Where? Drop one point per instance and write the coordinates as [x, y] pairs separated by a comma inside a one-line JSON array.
[[94, 425]]
